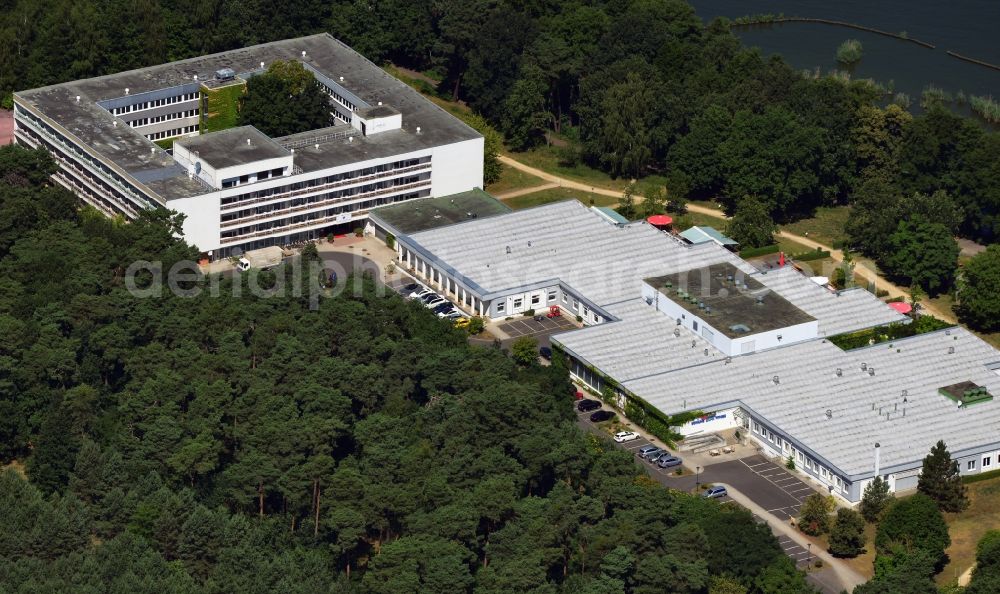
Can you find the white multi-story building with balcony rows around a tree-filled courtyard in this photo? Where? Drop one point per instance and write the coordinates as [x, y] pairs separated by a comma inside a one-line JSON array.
[[237, 187]]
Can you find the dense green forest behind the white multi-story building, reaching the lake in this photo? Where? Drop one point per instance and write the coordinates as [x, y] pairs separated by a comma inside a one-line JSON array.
[[638, 88]]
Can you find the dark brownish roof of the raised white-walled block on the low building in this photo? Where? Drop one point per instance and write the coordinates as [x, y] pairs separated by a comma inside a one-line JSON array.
[[734, 303]]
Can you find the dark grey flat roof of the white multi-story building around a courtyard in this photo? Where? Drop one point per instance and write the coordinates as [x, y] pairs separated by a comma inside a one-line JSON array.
[[93, 126]]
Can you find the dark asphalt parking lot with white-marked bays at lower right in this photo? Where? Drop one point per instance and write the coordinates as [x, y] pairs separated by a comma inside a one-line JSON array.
[[768, 484]]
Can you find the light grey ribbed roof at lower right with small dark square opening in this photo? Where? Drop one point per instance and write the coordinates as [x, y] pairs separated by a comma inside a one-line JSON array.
[[864, 408]]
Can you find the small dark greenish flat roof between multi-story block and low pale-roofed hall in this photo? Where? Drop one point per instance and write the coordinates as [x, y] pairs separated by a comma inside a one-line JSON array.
[[413, 216]]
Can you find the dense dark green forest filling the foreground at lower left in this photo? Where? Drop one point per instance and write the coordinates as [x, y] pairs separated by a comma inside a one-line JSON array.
[[237, 443]]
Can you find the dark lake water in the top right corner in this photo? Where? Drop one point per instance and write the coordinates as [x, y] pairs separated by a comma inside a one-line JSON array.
[[969, 27]]
